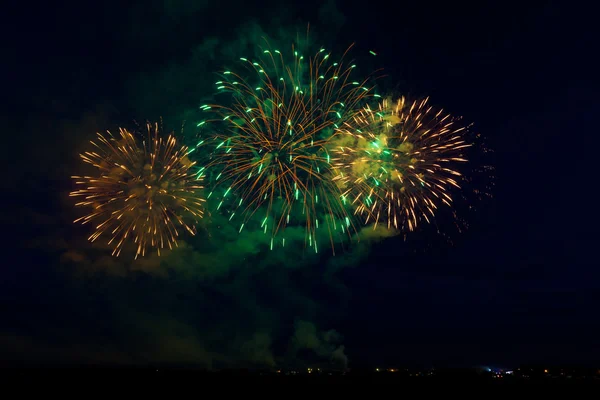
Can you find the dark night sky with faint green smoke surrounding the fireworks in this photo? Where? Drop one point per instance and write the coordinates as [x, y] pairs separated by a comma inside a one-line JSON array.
[[520, 285]]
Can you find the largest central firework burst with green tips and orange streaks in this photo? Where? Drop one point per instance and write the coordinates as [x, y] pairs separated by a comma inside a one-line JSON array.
[[272, 159]]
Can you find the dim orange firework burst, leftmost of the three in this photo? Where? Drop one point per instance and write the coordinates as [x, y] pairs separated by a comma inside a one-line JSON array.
[[142, 192]]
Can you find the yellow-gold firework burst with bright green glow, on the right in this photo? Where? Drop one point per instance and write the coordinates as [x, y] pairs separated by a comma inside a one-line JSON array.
[[399, 163]]
